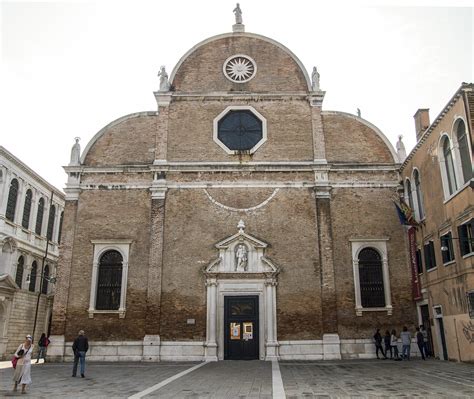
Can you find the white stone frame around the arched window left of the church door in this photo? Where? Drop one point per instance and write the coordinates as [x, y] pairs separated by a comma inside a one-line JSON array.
[[100, 247]]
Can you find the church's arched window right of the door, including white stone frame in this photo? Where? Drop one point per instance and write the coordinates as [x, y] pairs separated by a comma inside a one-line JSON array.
[[371, 276]]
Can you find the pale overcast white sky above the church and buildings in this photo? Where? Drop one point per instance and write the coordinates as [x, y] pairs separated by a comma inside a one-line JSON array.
[[69, 68]]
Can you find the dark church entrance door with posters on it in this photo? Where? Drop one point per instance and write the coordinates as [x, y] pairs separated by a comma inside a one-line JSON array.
[[241, 328]]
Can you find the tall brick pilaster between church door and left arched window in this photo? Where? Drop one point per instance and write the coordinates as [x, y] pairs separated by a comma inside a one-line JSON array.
[[151, 340]]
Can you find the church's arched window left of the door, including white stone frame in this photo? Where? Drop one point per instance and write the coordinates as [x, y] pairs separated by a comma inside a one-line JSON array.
[[109, 277]]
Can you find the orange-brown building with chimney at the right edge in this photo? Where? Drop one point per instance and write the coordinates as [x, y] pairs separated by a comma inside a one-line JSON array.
[[438, 181]]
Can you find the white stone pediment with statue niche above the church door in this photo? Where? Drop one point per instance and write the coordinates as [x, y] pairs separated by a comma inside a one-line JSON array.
[[240, 254]]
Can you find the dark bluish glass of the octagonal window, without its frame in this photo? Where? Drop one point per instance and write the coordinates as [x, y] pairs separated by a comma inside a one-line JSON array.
[[240, 130]]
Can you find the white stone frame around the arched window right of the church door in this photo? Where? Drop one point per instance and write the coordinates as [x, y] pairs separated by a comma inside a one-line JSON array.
[[379, 244]]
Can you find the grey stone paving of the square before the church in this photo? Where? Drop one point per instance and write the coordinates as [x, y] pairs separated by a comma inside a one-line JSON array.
[[252, 379]]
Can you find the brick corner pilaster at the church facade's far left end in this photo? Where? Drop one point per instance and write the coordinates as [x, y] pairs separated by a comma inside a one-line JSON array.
[[65, 264]]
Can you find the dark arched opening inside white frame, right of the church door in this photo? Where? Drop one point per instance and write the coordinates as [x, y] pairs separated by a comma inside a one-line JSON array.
[[372, 293]]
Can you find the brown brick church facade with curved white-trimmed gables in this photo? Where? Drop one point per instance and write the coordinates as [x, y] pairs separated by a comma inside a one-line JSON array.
[[238, 221]]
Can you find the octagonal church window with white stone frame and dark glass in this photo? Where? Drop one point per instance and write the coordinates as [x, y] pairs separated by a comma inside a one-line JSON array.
[[240, 129]]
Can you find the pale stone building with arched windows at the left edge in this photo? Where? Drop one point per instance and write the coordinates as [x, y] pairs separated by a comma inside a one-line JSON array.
[[31, 212]]
